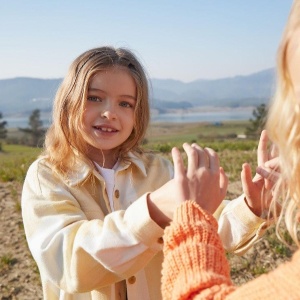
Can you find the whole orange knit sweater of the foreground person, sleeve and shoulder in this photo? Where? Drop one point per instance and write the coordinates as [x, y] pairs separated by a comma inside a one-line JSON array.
[[195, 265]]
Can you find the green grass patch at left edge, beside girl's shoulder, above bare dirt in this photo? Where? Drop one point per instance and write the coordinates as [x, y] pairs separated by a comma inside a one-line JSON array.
[[15, 160]]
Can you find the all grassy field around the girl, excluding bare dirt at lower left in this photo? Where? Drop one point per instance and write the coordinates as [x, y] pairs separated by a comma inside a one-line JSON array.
[[232, 151]]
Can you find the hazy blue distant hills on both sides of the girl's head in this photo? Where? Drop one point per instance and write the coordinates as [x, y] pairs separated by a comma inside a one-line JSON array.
[[22, 95]]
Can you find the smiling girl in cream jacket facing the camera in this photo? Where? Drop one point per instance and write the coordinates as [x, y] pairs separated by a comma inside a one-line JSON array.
[[95, 204]]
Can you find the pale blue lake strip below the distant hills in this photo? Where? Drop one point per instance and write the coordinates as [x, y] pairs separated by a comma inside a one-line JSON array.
[[185, 117]]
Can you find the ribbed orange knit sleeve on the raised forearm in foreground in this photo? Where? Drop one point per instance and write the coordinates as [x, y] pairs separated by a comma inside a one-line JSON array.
[[195, 260]]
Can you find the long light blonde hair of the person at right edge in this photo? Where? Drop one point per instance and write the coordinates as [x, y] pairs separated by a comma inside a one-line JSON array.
[[283, 126]]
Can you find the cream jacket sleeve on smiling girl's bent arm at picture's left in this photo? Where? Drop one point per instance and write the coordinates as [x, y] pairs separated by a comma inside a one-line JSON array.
[[78, 254]]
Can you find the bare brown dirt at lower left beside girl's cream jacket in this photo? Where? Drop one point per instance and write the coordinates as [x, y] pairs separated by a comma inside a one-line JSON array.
[[19, 278]]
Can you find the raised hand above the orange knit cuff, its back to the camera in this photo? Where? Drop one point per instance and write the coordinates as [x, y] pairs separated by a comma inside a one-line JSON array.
[[203, 180]]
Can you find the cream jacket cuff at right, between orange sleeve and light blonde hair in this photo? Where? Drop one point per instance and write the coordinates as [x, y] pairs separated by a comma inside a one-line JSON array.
[[239, 227]]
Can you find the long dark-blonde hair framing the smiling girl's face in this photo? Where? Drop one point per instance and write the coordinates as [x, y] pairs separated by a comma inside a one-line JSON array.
[[64, 143]]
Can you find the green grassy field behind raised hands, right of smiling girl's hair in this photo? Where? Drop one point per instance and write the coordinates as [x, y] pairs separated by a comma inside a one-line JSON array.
[[232, 152]]
